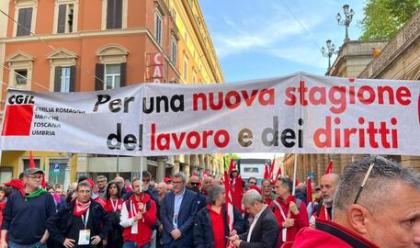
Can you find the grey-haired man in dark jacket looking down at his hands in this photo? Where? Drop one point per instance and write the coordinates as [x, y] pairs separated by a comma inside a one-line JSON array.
[[264, 229]]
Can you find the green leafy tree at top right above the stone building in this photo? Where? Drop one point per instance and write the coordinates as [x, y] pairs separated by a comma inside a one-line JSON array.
[[383, 18]]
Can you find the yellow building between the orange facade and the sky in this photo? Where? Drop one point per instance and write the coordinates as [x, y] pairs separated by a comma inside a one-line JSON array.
[[197, 64]]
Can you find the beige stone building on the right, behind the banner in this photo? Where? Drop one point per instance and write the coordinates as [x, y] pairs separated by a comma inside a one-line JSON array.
[[397, 59]]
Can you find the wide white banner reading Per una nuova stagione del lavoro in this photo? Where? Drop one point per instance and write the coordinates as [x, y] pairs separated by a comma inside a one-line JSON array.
[[300, 113]]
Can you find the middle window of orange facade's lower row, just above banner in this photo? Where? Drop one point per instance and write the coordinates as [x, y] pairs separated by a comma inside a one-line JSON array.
[[64, 79]]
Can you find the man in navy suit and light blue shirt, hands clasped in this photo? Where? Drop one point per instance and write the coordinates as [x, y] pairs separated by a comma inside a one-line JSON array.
[[177, 214]]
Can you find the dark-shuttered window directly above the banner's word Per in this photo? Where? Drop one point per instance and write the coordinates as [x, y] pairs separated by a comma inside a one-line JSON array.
[[110, 76]]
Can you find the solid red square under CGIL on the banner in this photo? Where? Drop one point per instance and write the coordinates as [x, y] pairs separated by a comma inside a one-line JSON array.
[[18, 120]]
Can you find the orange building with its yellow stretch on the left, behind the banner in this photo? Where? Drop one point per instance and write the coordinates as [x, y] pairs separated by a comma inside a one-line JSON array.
[[80, 45]]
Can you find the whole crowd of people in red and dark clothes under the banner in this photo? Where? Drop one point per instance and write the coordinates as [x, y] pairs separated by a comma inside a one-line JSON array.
[[375, 202]]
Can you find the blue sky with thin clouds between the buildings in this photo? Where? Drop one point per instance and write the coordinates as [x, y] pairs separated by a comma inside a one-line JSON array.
[[257, 39]]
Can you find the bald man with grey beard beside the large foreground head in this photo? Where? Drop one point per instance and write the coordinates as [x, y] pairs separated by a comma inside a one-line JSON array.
[[328, 185]]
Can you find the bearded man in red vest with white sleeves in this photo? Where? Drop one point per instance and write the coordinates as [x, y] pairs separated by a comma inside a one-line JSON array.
[[138, 217]]
